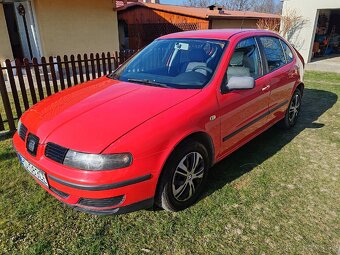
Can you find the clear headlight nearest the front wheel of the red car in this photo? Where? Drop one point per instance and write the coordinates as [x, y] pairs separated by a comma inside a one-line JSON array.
[[97, 162]]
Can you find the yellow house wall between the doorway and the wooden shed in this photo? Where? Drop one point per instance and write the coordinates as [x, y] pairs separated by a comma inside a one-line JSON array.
[[77, 26]]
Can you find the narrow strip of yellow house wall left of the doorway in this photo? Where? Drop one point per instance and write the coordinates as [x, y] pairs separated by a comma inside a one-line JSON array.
[[5, 44]]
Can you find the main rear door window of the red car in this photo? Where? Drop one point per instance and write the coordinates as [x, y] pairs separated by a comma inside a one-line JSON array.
[[274, 53]]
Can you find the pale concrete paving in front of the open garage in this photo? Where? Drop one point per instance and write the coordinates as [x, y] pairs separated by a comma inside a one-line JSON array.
[[329, 64]]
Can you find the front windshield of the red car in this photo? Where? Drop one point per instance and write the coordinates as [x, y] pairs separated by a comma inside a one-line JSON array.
[[175, 63]]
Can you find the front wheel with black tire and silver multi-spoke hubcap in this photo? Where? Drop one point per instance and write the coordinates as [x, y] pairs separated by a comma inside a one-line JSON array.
[[183, 177]]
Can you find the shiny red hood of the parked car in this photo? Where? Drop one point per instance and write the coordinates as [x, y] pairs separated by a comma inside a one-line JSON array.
[[91, 116]]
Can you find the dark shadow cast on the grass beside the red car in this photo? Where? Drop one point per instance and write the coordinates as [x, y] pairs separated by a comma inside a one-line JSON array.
[[315, 103]]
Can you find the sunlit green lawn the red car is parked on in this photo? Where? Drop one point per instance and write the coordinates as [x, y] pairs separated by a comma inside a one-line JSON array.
[[279, 194]]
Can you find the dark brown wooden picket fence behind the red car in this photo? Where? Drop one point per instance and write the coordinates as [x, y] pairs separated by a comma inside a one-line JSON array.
[[24, 83]]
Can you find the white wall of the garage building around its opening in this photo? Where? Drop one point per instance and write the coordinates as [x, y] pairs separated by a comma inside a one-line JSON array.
[[304, 36]]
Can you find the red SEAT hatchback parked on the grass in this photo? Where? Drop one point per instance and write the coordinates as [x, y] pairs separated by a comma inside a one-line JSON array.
[[149, 132]]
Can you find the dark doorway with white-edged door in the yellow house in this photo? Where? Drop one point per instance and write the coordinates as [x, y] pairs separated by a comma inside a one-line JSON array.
[[22, 30]]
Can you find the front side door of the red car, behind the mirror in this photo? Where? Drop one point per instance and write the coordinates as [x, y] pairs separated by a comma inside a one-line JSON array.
[[243, 112]]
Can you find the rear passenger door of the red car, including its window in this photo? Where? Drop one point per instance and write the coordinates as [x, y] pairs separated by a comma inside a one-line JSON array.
[[281, 74]]
